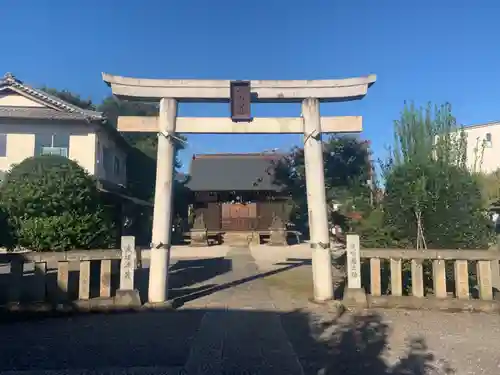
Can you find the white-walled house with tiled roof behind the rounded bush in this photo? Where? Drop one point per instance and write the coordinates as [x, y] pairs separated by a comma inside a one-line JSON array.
[[33, 122]]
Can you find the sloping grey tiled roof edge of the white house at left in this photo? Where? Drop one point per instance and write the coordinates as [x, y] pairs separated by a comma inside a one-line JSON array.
[[9, 82]]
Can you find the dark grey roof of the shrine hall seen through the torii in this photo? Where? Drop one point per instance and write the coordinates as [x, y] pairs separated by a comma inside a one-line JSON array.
[[233, 172]]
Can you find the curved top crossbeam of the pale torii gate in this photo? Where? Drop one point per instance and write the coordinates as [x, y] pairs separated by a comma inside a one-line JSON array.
[[193, 90]]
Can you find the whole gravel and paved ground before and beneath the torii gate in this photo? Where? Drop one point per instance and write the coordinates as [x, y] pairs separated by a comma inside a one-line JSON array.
[[235, 323]]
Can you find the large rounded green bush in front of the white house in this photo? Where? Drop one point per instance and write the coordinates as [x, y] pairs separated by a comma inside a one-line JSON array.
[[53, 204]]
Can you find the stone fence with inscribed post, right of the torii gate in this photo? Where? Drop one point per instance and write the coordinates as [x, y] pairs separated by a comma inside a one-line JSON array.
[[455, 279]]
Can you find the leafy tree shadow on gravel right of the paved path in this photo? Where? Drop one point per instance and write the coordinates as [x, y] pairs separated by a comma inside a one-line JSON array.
[[356, 346]]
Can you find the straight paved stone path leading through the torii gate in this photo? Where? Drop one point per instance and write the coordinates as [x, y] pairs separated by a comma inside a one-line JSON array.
[[247, 336]]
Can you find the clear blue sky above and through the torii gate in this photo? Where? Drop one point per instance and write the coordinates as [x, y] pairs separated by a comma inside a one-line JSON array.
[[422, 50]]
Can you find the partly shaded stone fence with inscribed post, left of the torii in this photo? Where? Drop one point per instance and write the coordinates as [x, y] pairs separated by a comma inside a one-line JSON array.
[[97, 279]]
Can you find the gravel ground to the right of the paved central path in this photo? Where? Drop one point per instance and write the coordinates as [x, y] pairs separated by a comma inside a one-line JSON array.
[[384, 341]]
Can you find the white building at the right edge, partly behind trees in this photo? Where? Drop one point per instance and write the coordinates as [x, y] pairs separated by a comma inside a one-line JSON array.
[[483, 147]]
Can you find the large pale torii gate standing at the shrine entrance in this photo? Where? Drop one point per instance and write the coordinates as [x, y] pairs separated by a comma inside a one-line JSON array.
[[310, 93]]
